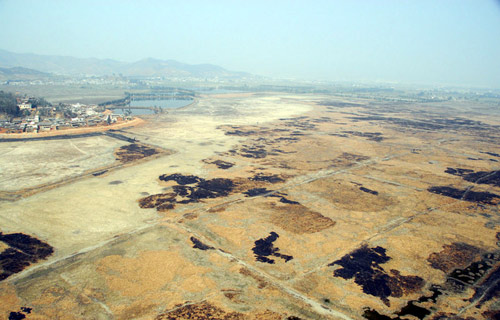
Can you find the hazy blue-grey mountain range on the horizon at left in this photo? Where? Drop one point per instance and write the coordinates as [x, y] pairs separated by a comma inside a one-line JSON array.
[[71, 66]]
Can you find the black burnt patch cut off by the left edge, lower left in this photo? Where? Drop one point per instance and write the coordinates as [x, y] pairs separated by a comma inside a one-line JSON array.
[[23, 250]]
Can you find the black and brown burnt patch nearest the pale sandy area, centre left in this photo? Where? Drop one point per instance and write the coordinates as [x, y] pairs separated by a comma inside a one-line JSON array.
[[182, 193]]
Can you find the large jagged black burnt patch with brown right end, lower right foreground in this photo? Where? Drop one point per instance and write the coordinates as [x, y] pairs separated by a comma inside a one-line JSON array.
[[363, 265]]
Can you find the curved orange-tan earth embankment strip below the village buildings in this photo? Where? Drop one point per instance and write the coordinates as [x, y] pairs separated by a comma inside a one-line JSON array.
[[75, 131]]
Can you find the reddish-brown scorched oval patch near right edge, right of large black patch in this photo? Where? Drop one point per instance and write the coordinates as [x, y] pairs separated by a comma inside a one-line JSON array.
[[455, 255]]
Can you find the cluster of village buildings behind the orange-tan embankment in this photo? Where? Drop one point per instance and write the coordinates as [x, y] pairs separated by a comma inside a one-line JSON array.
[[64, 116]]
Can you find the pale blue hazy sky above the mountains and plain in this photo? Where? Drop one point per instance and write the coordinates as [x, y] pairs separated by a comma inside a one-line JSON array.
[[420, 41]]
